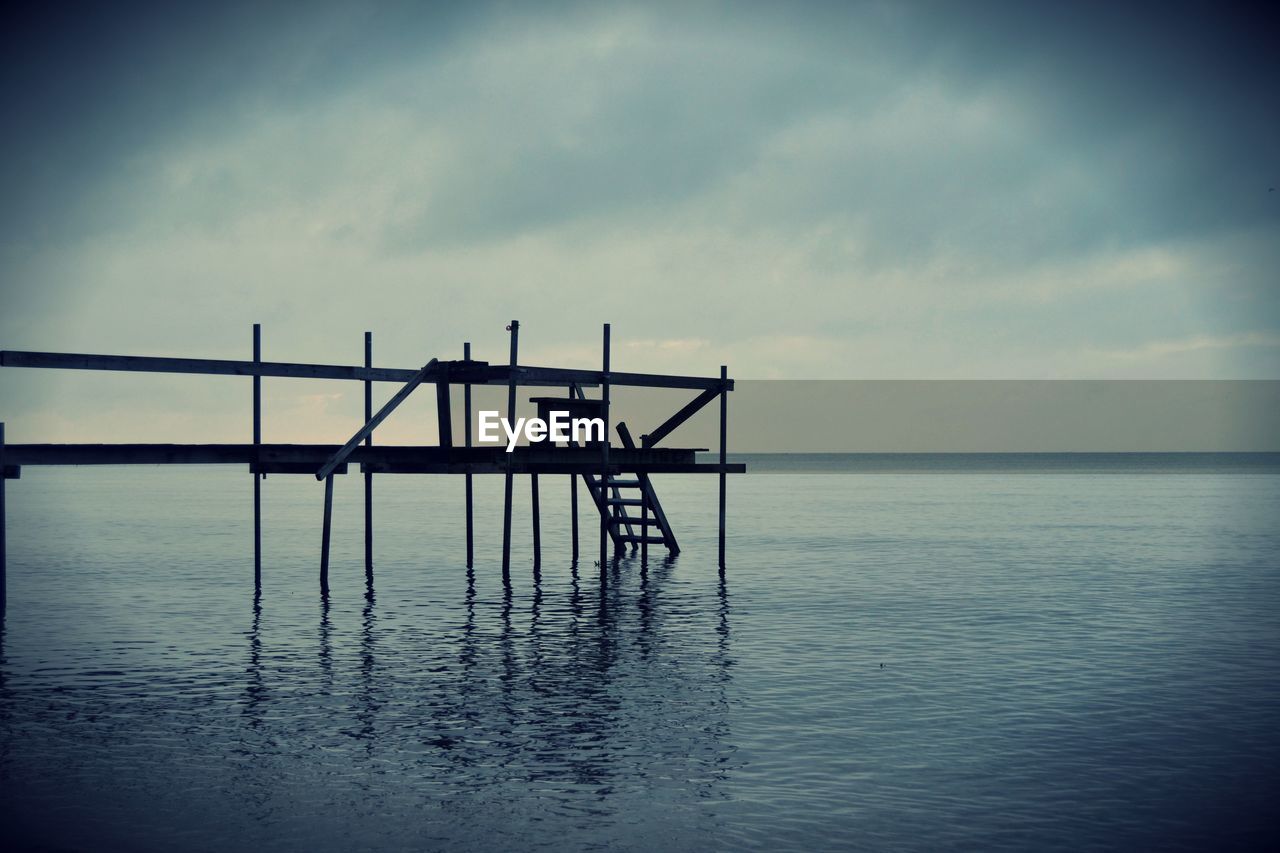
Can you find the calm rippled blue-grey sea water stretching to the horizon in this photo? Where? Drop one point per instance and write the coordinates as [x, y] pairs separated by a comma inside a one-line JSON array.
[[921, 653]]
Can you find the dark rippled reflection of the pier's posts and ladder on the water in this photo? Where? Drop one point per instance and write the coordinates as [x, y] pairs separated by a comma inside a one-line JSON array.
[[533, 687]]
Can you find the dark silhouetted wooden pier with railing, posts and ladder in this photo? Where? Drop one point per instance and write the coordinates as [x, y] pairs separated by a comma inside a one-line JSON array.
[[618, 477]]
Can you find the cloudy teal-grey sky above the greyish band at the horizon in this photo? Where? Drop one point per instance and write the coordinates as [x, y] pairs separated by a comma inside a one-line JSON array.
[[811, 191]]
